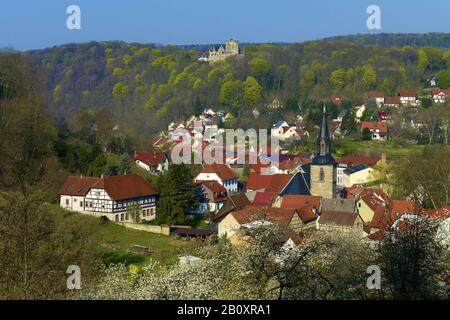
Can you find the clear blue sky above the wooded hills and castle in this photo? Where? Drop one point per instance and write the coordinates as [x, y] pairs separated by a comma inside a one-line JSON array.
[[32, 24]]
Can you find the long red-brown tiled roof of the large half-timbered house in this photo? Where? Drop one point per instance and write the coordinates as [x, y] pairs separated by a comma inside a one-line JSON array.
[[118, 187]]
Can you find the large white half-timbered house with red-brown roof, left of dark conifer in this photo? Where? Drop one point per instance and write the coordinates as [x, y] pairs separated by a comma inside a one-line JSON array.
[[118, 198]]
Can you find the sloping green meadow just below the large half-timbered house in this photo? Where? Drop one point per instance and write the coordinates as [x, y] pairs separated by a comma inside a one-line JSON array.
[[117, 240]]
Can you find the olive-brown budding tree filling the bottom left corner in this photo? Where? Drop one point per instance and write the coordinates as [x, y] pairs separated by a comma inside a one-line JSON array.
[[38, 242]]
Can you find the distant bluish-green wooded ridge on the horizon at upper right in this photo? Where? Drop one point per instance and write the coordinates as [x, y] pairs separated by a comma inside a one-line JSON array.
[[438, 40]]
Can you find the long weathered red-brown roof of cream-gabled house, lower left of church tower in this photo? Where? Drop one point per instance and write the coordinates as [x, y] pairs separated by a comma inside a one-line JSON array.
[[273, 215]]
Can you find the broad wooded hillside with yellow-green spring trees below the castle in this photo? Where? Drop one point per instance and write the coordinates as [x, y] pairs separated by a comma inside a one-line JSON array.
[[146, 86]]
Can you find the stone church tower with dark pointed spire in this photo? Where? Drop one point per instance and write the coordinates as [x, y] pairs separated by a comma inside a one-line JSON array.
[[323, 166]]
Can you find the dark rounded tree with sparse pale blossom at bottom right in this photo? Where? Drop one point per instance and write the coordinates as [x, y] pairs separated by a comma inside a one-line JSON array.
[[411, 259]]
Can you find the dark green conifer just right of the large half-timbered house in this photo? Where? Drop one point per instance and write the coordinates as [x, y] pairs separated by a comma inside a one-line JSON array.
[[176, 194]]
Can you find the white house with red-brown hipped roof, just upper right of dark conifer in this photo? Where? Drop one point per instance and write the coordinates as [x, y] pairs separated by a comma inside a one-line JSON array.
[[220, 173]]
